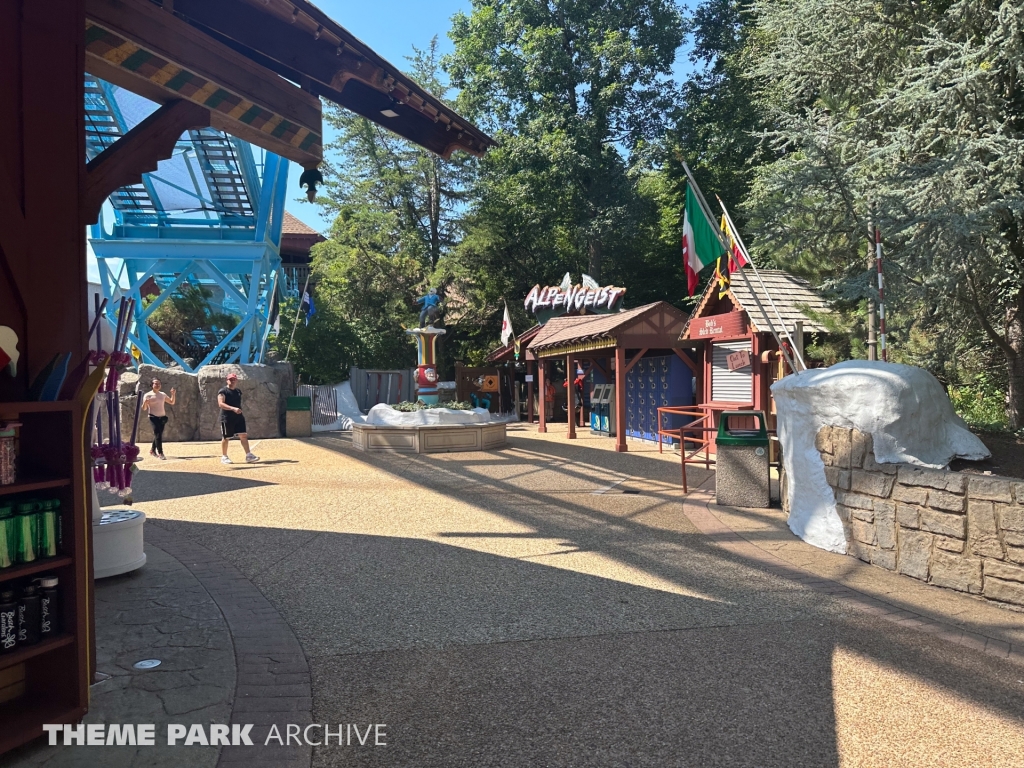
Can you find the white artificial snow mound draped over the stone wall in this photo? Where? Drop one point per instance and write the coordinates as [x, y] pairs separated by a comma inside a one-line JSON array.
[[906, 411]]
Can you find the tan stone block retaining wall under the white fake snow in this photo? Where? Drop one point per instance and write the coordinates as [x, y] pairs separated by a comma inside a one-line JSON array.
[[956, 531]]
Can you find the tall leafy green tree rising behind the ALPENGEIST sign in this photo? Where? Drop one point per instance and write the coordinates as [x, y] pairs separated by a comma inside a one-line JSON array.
[[572, 90]]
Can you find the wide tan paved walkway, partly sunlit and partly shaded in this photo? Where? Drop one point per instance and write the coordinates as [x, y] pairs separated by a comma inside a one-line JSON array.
[[559, 605]]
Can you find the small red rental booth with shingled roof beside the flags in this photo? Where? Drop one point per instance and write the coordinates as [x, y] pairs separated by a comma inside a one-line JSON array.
[[742, 322]]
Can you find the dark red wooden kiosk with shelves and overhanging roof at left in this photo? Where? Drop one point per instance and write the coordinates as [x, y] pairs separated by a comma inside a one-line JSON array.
[[253, 69]]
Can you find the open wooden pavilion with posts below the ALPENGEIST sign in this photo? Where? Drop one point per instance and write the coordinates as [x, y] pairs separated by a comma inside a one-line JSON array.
[[612, 345]]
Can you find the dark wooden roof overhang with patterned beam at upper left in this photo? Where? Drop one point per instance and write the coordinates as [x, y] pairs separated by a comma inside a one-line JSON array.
[[261, 68]]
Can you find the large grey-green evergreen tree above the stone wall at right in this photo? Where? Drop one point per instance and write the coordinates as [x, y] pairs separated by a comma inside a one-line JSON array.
[[909, 115]]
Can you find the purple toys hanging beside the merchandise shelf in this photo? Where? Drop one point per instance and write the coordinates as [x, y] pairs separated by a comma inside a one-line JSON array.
[[114, 461]]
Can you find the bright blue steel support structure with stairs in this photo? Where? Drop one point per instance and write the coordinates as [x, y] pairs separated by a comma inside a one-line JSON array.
[[210, 217]]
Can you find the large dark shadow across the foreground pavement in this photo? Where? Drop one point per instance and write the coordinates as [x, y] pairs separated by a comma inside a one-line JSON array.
[[480, 660]]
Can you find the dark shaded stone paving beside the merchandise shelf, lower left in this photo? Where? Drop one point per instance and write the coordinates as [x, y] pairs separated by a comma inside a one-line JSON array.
[[162, 613]]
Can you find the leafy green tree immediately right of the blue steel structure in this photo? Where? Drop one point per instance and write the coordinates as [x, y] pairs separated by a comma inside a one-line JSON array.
[[398, 211]]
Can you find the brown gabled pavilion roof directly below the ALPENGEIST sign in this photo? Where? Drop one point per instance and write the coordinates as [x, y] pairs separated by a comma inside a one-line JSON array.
[[657, 326]]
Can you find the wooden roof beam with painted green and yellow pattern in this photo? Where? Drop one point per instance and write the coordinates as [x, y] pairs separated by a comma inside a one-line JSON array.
[[149, 51]]
